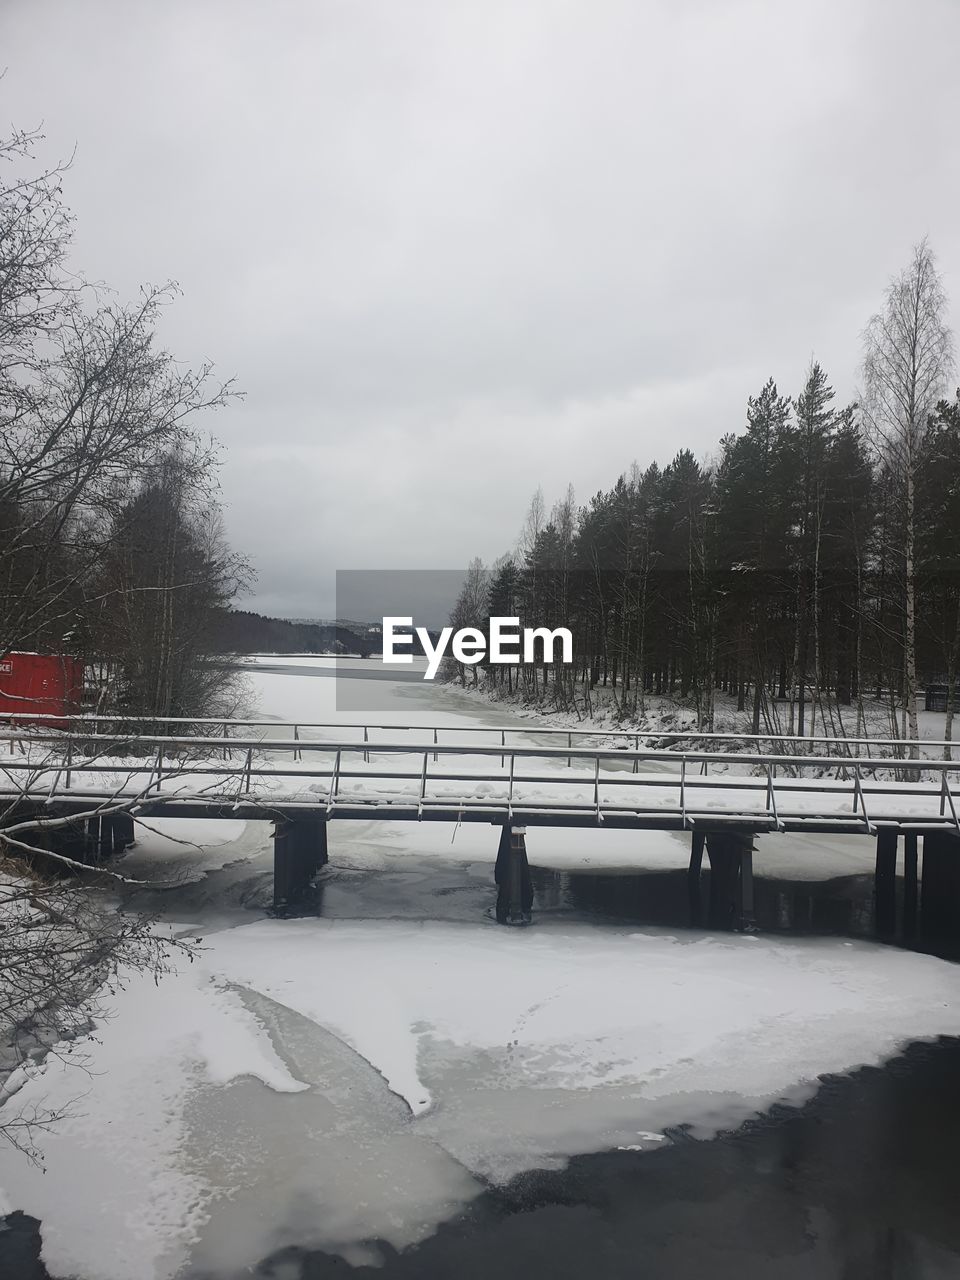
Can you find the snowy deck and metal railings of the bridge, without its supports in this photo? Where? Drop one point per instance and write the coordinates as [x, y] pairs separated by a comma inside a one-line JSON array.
[[359, 775]]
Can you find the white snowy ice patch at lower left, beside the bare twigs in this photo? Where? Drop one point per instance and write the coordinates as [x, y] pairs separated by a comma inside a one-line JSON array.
[[116, 1195]]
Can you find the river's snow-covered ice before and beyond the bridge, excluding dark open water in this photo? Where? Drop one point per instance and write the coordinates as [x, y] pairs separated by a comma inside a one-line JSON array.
[[335, 1081]]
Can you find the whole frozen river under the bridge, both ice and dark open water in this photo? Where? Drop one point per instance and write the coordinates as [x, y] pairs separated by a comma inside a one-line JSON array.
[[396, 1082]]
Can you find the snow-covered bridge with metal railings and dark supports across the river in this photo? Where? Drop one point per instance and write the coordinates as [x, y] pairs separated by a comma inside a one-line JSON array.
[[76, 787]]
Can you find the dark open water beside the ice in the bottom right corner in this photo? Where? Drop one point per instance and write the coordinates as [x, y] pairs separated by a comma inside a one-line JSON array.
[[863, 1183]]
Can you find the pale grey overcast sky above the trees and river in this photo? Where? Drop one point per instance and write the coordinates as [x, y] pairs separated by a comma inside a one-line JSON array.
[[458, 249]]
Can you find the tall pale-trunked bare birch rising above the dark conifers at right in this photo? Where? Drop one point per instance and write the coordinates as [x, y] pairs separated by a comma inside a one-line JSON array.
[[908, 359]]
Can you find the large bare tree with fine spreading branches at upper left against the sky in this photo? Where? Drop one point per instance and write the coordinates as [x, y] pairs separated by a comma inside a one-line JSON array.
[[89, 403]]
